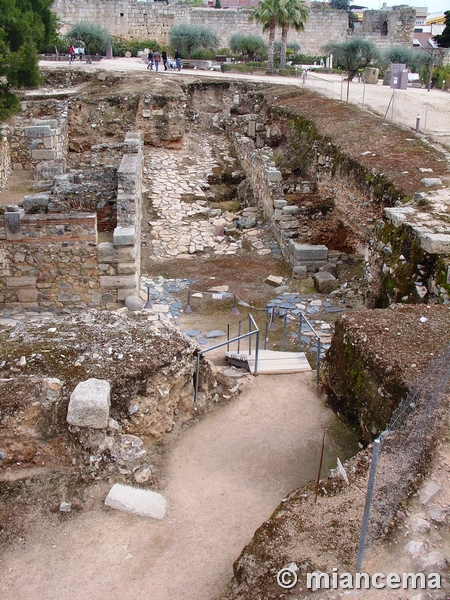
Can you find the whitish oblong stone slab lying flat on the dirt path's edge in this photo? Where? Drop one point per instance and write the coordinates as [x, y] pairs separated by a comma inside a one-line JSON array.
[[144, 503]]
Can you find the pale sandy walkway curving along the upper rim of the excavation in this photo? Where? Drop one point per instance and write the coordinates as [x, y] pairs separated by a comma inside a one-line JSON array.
[[433, 106]]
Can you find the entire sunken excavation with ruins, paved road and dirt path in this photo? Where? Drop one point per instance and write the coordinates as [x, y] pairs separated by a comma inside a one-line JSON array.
[[126, 201]]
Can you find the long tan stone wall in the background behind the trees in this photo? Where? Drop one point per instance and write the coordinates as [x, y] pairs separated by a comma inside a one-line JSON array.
[[153, 20]]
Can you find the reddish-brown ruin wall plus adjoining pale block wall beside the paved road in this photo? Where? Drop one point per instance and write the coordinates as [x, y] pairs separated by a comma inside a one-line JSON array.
[[53, 259]]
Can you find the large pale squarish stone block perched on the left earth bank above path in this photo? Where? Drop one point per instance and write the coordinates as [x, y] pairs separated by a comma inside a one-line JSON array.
[[89, 404]]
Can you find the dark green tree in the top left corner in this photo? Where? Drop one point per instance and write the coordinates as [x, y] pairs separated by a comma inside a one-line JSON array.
[[26, 28]]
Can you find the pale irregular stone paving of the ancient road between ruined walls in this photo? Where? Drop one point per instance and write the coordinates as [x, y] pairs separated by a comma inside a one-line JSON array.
[[185, 224]]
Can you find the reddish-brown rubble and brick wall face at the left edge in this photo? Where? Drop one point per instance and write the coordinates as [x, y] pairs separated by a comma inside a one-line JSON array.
[[50, 261]]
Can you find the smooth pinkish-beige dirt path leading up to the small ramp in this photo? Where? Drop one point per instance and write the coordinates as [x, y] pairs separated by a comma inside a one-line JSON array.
[[224, 476]]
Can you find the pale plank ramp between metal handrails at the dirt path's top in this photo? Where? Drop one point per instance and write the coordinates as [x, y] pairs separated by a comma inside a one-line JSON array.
[[271, 362]]
